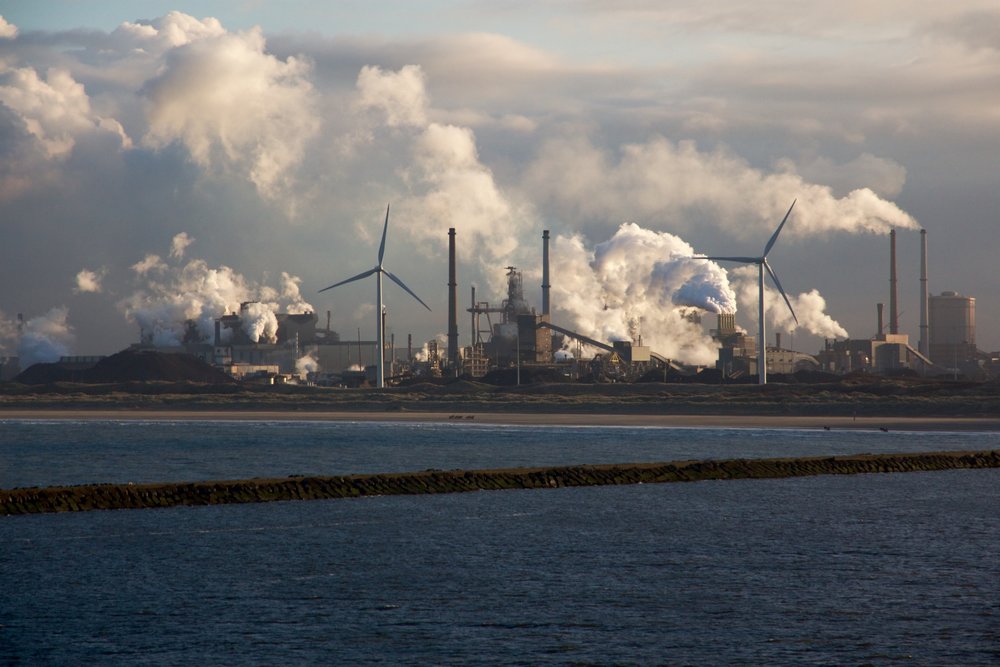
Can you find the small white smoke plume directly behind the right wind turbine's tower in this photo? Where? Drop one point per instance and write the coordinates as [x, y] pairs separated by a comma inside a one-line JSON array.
[[809, 306]]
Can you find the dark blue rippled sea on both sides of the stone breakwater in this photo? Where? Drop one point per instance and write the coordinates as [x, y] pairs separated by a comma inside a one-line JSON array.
[[836, 570]]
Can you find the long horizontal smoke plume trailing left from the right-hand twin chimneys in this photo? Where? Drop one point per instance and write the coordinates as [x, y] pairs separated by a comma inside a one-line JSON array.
[[661, 179]]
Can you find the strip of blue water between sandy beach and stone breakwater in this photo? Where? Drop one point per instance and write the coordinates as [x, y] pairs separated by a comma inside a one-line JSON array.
[[81, 452]]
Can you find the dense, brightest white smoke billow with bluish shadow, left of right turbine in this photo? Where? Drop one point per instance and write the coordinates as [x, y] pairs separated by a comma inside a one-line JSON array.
[[641, 282]]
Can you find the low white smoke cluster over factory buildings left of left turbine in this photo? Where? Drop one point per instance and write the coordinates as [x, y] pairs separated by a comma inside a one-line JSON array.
[[184, 301]]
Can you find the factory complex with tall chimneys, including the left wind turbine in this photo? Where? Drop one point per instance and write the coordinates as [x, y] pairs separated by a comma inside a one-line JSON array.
[[510, 342]]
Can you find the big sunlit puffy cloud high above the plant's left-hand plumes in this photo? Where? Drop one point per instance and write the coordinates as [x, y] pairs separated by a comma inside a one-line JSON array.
[[234, 107]]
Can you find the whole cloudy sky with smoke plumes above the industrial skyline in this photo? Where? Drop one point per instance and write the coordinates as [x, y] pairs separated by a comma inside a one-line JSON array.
[[164, 162]]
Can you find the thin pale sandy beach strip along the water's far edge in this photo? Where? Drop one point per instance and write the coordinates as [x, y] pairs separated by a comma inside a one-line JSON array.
[[830, 422]]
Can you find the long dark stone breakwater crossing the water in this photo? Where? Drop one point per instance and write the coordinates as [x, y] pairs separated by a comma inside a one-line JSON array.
[[36, 500]]
